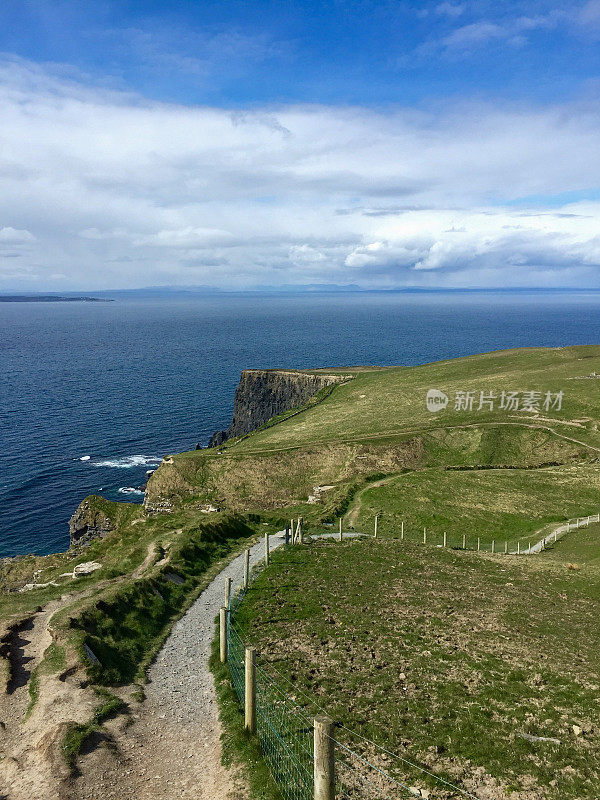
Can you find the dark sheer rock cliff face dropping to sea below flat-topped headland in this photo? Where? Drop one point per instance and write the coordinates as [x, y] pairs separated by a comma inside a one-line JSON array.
[[262, 394]]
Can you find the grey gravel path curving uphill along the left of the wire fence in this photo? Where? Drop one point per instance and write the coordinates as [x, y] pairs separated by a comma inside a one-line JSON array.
[[172, 750]]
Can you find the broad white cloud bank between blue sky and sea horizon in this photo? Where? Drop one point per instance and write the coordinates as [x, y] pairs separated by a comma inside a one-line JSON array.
[[102, 189]]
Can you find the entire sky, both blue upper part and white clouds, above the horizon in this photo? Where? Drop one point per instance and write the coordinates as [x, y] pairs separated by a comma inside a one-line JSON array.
[[449, 144]]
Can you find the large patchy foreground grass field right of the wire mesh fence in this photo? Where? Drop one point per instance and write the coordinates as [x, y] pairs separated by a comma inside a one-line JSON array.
[[443, 656]]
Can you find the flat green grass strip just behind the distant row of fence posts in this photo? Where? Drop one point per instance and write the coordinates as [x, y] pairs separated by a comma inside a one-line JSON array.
[[504, 505]]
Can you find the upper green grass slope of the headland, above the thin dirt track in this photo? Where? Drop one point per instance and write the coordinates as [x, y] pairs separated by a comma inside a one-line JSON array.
[[384, 402]]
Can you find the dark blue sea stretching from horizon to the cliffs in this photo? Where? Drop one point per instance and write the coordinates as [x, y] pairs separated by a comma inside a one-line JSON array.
[[94, 394]]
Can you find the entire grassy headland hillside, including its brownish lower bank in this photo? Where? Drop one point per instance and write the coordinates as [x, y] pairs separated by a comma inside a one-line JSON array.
[[378, 422]]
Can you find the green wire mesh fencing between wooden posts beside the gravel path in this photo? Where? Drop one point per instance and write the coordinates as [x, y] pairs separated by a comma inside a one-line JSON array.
[[285, 721]]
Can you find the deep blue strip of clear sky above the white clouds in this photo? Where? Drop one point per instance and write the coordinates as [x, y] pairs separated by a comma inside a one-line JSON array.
[[246, 53]]
